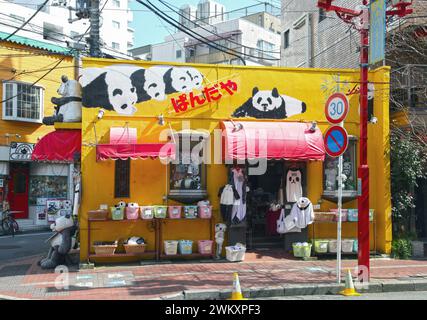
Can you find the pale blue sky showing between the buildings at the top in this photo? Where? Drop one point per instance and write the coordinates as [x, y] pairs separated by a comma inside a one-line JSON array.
[[149, 29]]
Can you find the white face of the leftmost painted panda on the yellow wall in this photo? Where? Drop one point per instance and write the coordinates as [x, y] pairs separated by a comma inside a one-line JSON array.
[[121, 93]]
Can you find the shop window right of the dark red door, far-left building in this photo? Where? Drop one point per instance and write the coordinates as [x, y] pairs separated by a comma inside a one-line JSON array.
[[47, 187]]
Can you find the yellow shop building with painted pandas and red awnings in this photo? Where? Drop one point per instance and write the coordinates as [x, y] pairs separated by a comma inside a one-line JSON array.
[[130, 110]]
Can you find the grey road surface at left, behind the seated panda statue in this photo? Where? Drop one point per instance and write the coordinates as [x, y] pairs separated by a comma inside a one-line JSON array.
[[21, 246]]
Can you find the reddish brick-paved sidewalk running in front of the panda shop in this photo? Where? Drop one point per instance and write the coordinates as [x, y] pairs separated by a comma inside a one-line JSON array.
[[262, 274]]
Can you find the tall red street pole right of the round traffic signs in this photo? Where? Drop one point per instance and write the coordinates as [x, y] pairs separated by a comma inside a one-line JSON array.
[[349, 16]]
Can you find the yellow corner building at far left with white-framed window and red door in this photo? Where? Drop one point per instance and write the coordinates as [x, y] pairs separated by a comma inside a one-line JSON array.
[[24, 62]]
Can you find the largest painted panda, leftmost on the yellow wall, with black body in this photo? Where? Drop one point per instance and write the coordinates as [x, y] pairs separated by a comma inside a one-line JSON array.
[[102, 88]]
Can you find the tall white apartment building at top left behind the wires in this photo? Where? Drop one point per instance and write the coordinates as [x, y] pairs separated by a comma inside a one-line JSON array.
[[52, 23]]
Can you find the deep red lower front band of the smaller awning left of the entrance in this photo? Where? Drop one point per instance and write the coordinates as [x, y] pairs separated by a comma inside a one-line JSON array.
[[135, 151]]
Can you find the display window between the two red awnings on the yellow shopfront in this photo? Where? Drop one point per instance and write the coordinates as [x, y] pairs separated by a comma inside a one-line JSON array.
[[188, 170]]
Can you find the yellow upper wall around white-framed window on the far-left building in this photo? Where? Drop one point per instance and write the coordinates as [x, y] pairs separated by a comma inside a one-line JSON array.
[[20, 64]]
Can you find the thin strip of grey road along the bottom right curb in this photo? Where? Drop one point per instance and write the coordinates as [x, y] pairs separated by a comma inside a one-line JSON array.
[[412, 295]]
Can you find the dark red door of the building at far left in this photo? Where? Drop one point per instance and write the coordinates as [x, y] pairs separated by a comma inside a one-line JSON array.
[[18, 189]]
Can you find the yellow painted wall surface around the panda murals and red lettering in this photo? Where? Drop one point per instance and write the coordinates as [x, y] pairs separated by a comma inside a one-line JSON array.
[[149, 177]]
